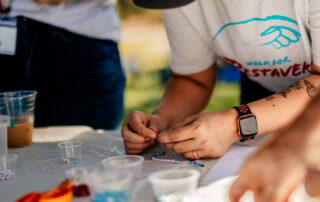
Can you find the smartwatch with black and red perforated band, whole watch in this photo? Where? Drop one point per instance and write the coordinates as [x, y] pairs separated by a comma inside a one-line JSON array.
[[246, 122]]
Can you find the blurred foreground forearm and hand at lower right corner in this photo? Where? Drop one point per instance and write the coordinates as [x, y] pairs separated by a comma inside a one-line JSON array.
[[284, 163]]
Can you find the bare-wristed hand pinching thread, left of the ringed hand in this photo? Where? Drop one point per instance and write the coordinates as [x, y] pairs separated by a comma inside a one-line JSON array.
[[139, 131]]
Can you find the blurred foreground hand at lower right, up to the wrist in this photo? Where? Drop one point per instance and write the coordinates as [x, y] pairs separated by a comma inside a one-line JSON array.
[[272, 173]]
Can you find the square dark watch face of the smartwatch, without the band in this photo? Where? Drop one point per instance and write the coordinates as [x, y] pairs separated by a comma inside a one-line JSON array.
[[248, 126]]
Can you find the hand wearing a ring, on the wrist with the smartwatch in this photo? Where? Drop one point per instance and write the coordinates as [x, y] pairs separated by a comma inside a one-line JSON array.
[[209, 135]]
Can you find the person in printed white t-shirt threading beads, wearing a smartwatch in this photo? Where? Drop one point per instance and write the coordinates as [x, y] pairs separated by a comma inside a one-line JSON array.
[[278, 50]]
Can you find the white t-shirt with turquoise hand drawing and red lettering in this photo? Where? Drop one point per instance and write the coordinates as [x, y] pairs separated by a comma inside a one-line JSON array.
[[270, 40]]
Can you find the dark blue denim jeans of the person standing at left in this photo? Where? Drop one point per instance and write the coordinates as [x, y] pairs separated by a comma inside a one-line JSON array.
[[79, 80]]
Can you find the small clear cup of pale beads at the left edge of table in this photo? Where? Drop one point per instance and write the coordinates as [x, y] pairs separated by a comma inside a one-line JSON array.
[[7, 166]]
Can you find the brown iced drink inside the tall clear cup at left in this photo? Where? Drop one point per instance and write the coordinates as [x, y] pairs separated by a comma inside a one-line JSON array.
[[21, 134]]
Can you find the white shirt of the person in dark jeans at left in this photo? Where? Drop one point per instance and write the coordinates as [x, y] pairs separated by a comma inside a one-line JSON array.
[[93, 18]]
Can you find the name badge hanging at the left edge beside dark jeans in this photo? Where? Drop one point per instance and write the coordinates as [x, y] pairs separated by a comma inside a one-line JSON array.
[[8, 35]]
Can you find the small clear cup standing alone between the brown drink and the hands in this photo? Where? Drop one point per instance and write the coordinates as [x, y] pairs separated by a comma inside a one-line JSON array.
[[71, 151]]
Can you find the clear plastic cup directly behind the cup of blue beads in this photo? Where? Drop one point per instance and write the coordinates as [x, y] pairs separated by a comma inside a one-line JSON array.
[[130, 163]]
